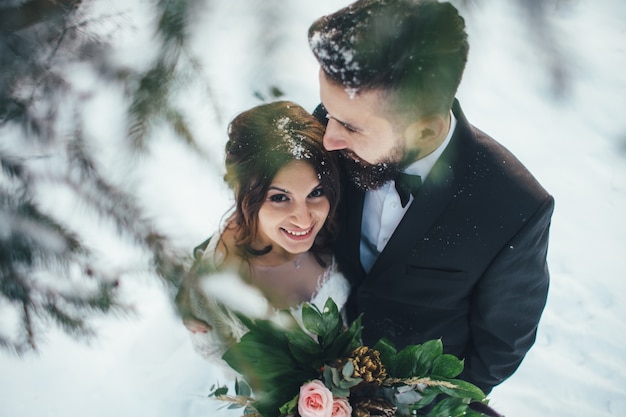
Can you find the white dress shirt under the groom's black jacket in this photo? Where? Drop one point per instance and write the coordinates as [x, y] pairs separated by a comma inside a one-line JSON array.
[[383, 210]]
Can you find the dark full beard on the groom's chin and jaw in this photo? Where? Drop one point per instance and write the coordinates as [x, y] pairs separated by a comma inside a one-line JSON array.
[[366, 176]]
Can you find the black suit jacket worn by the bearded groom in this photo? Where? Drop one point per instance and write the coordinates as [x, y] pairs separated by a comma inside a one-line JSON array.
[[466, 264]]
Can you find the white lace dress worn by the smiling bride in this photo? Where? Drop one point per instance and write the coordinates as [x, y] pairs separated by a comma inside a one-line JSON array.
[[229, 293]]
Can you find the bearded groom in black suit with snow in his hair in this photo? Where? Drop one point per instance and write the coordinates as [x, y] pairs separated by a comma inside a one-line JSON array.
[[459, 254]]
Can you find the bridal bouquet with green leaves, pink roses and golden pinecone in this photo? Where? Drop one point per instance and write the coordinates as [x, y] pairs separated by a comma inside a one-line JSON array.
[[332, 375]]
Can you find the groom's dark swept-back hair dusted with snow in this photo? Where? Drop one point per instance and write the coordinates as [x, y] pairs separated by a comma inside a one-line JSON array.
[[414, 51]]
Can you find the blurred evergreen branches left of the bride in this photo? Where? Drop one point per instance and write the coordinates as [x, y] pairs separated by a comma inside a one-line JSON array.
[[48, 272]]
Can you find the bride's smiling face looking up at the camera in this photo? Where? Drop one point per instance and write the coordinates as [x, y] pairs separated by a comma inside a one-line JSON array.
[[294, 210]]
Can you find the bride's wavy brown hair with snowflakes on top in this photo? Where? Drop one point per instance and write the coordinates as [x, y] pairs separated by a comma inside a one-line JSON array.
[[262, 141]]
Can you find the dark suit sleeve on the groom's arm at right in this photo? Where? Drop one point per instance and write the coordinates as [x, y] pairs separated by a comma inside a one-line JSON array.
[[508, 302]]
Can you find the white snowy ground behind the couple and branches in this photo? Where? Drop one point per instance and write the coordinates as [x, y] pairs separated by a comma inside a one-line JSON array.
[[144, 365]]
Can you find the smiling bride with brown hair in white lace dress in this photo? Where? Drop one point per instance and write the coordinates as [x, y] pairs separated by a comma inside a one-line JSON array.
[[277, 239]]
